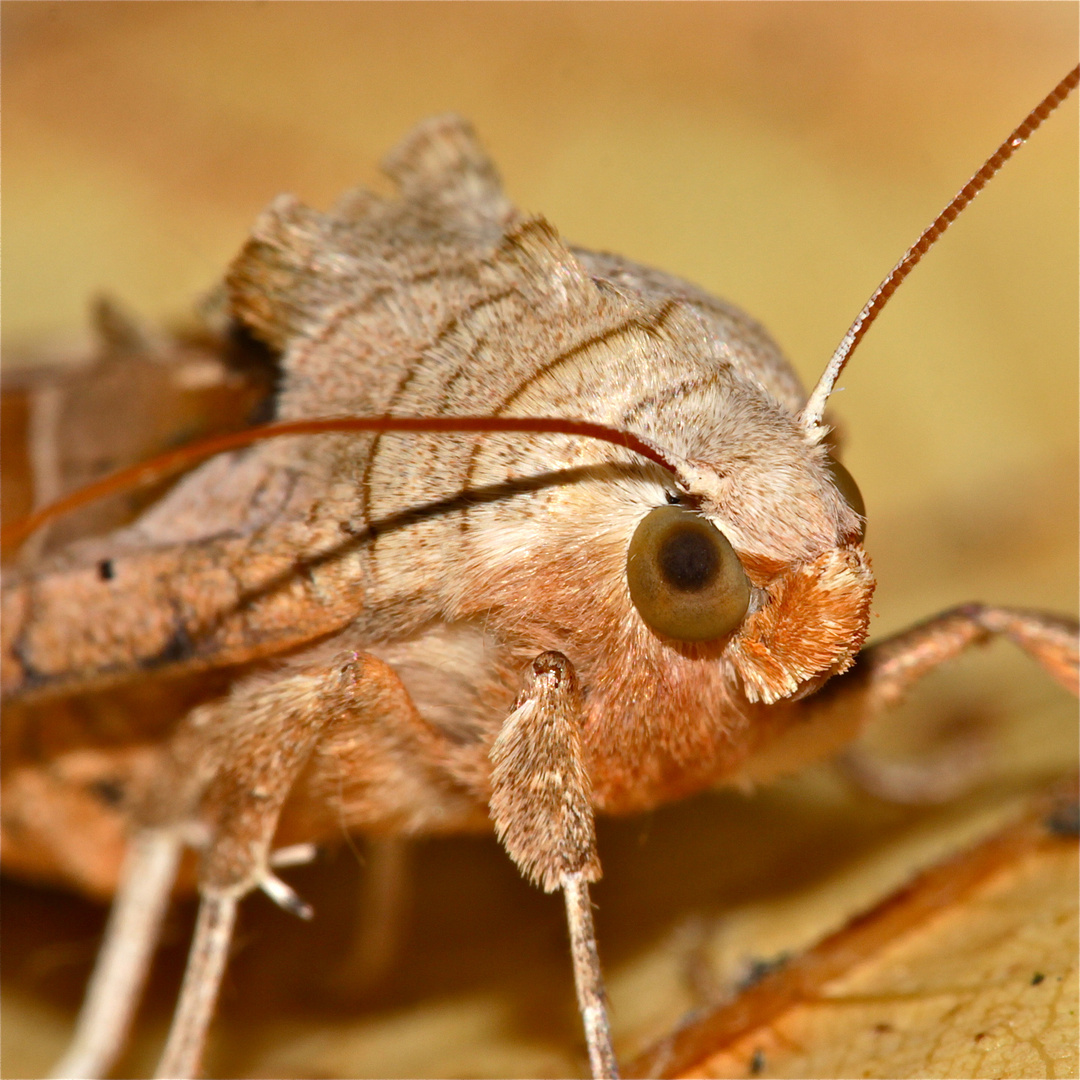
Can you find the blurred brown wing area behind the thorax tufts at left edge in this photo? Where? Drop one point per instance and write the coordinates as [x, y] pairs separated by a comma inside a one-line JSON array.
[[77, 413]]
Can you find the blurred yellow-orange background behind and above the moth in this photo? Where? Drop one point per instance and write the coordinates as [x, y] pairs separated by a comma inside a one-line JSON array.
[[782, 156]]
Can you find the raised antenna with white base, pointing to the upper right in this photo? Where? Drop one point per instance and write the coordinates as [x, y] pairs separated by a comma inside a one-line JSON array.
[[816, 406]]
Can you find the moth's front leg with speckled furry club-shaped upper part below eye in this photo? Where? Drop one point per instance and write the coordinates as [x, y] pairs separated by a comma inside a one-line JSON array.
[[543, 813]]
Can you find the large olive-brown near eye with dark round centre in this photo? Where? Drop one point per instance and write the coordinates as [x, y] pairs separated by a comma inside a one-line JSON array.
[[685, 578]]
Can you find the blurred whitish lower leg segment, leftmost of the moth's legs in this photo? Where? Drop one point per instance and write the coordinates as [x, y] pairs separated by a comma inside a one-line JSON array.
[[121, 968]]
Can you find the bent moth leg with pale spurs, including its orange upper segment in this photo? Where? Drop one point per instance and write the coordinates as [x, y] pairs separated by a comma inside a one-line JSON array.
[[352, 719]]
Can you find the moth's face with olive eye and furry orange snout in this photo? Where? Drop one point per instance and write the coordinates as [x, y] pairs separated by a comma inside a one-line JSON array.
[[782, 620]]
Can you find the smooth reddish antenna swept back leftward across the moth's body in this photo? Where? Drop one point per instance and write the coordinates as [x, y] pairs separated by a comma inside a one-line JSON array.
[[173, 462]]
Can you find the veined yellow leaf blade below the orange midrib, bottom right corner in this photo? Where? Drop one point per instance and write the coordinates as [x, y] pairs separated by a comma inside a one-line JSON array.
[[989, 991]]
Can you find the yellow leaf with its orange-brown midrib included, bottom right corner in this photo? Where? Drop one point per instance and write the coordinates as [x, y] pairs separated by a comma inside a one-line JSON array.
[[968, 971]]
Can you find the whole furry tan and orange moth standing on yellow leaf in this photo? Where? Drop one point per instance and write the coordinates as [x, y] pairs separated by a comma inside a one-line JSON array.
[[574, 539]]
